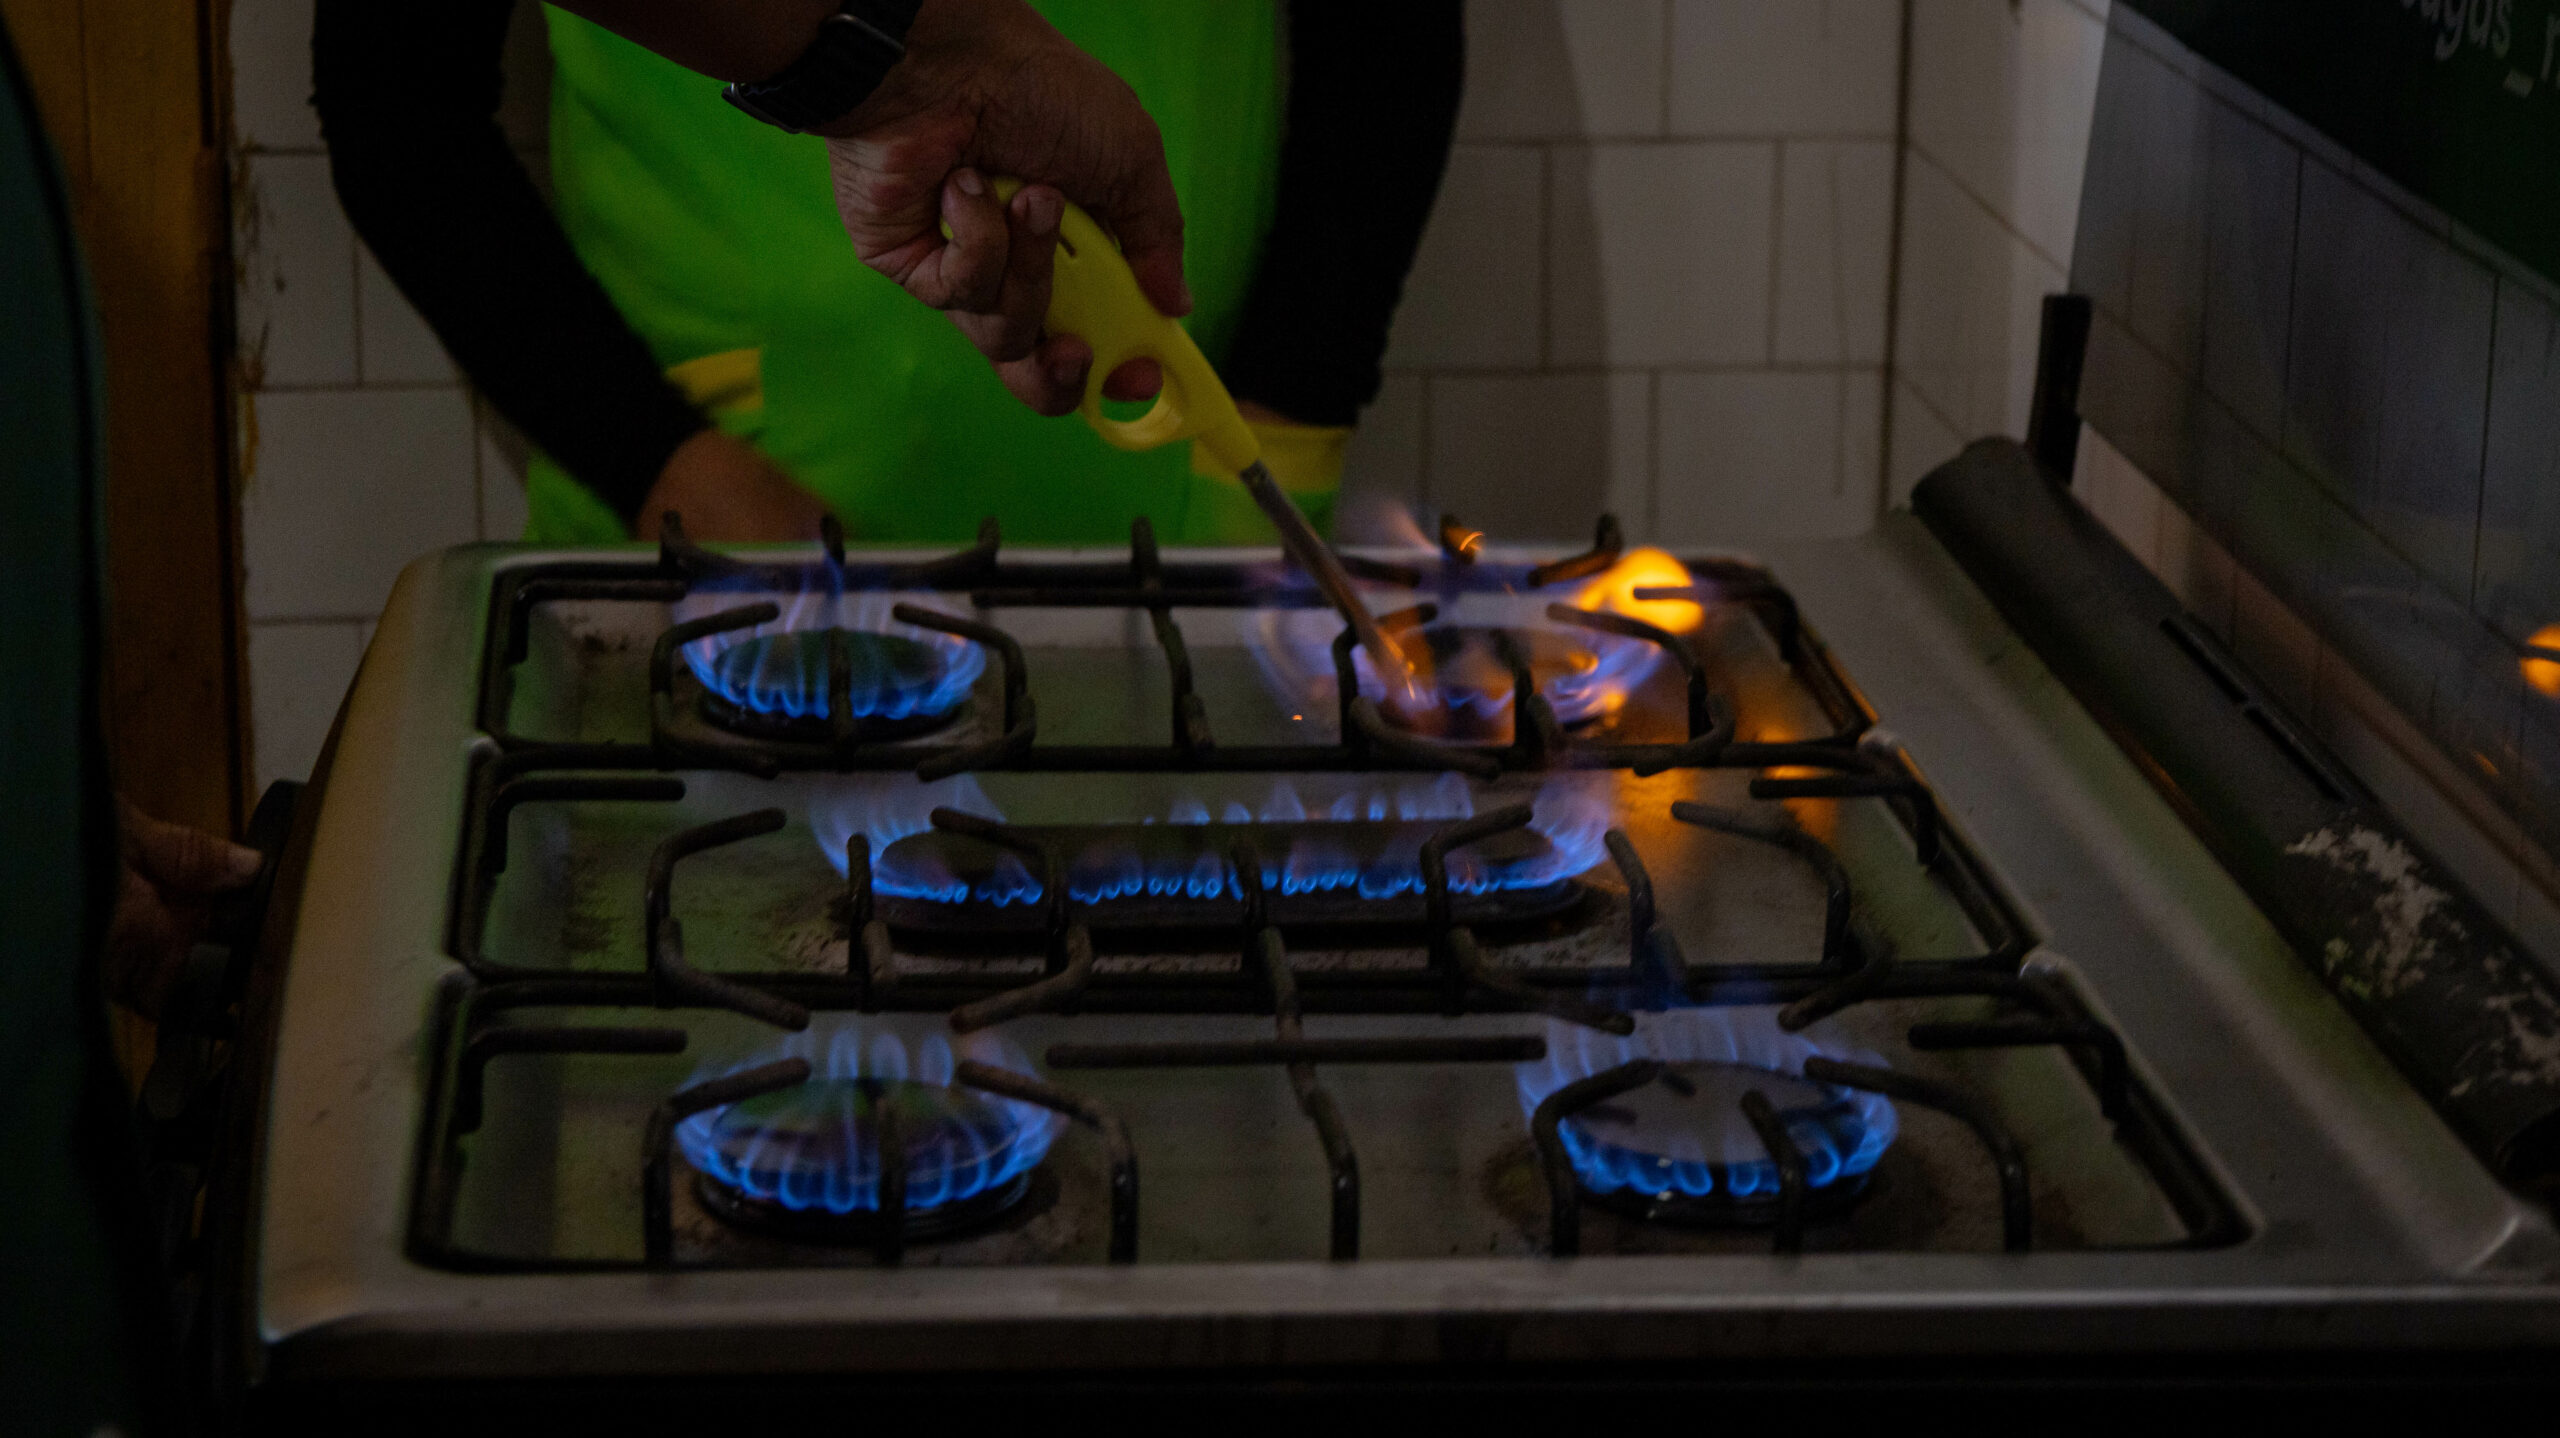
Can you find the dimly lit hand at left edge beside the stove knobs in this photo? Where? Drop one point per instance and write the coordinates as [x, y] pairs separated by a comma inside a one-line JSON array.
[[165, 902]]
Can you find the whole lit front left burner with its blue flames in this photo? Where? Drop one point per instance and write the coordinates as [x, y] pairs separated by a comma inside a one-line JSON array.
[[805, 1163]]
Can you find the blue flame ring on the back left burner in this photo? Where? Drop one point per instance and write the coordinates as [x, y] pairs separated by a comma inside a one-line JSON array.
[[767, 672]]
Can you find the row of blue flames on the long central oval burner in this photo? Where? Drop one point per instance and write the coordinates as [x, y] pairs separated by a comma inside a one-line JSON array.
[[1304, 861]]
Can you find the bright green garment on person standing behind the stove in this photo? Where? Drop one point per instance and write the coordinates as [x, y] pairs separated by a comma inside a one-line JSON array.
[[718, 234]]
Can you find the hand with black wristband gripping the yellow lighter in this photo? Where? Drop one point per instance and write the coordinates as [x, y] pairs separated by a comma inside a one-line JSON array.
[[989, 88]]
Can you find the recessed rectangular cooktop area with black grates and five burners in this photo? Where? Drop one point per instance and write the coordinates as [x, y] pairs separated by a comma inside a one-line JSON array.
[[1545, 930]]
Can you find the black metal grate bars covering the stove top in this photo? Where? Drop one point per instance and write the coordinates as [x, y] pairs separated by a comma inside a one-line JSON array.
[[1251, 905]]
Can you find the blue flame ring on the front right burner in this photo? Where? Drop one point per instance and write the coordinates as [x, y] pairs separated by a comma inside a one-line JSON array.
[[1839, 1142]]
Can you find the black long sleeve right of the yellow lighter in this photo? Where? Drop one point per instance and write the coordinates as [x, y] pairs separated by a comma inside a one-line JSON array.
[[1371, 111]]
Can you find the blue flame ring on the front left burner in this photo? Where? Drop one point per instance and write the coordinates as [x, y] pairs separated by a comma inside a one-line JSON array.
[[818, 1158]]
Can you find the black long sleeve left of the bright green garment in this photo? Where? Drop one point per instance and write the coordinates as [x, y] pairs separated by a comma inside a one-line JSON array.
[[408, 106]]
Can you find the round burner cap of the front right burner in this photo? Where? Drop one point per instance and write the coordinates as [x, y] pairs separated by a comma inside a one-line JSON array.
[[1681, 1148]]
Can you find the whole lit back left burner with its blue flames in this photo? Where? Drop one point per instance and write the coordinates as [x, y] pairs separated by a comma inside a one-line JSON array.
[[777, 679]]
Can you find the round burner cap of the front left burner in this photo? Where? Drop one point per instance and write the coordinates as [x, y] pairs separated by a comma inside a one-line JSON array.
[[805, 1163]]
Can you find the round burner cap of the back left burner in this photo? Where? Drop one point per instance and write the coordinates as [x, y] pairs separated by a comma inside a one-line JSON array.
[[780, 684]]
